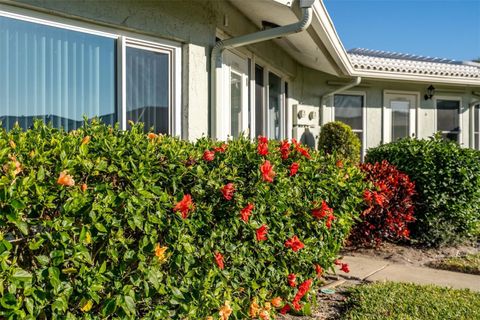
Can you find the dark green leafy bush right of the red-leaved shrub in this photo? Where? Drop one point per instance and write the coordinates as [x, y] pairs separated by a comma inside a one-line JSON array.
[[447, 182]]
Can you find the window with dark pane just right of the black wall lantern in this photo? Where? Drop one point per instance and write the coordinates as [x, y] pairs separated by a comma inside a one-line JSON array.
[[448, 122]]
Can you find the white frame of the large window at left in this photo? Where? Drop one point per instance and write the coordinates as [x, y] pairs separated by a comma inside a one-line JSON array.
[[123, 39]]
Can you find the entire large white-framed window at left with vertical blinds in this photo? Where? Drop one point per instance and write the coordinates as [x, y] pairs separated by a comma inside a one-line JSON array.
[[61, 73]]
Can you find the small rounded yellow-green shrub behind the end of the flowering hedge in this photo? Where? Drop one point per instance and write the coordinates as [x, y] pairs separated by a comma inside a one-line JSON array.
[[338, 138]]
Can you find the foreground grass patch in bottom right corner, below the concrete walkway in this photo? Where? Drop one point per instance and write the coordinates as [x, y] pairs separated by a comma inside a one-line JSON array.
[[408, 301]]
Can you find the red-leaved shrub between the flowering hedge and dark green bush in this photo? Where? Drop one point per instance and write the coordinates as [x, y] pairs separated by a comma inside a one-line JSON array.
[[390, 206]]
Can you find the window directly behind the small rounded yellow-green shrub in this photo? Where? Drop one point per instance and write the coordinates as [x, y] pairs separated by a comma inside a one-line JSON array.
[[349, 110]]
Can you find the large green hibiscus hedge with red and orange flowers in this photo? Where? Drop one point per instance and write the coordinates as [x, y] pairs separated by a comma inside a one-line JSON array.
[[118, 242]]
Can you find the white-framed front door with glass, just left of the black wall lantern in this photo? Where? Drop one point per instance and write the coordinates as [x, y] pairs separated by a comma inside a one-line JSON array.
[[399, 116]]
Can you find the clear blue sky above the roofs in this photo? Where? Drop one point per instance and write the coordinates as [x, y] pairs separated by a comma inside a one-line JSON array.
[[436, 28]]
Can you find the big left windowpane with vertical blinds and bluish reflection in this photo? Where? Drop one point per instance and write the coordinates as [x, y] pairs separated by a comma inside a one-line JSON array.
[[54, 74]]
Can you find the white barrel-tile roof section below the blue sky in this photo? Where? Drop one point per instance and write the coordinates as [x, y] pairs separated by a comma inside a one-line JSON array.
[[375, 60]]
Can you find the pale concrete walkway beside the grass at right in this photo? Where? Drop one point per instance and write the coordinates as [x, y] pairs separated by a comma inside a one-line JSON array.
[[368, 269]]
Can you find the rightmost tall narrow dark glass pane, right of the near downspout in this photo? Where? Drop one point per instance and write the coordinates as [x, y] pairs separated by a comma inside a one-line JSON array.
[[274, 101]]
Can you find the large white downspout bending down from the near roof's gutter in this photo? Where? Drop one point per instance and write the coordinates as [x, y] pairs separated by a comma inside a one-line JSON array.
[[216, 59]]
